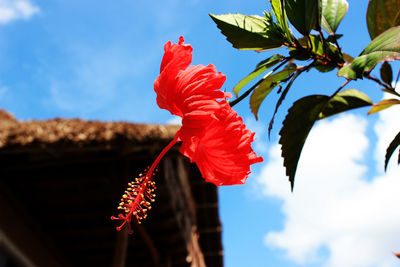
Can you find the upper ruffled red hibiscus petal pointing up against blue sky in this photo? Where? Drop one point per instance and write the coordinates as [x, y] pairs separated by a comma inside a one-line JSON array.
[[178, 88]]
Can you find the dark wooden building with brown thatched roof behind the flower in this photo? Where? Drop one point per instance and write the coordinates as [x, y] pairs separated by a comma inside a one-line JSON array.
[[61, 180]]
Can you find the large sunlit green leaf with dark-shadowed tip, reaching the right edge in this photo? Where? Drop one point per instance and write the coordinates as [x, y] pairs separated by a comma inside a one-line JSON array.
[[385, 47]]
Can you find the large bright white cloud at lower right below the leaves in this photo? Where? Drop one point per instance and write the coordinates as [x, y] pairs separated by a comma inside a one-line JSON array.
[[334, 208]]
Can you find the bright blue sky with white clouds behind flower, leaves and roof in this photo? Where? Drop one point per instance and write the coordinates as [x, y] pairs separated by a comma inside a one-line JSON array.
[[98, 60]]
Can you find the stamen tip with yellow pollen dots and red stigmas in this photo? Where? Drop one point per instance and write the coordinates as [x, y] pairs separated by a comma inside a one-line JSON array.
[[136, 200]]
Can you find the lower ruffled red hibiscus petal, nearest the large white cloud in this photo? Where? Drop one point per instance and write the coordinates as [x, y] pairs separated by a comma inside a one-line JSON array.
[[223, 151]]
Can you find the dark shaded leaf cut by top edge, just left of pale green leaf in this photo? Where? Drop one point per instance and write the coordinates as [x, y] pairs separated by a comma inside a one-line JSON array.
[[304, 15]]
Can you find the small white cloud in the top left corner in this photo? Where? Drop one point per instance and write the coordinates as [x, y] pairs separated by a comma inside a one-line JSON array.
[[16, 9]]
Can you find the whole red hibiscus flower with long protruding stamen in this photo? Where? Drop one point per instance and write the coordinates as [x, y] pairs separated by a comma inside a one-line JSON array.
[[212, 134]]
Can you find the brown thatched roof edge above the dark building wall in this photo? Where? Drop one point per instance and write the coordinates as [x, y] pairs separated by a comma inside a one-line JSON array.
[[77, 132]]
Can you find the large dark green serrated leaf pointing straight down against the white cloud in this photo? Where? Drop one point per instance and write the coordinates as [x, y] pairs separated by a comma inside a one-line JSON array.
[[296, 127]]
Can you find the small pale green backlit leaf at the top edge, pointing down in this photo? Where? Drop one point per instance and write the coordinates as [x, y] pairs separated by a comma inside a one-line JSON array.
[[333, 12]]
